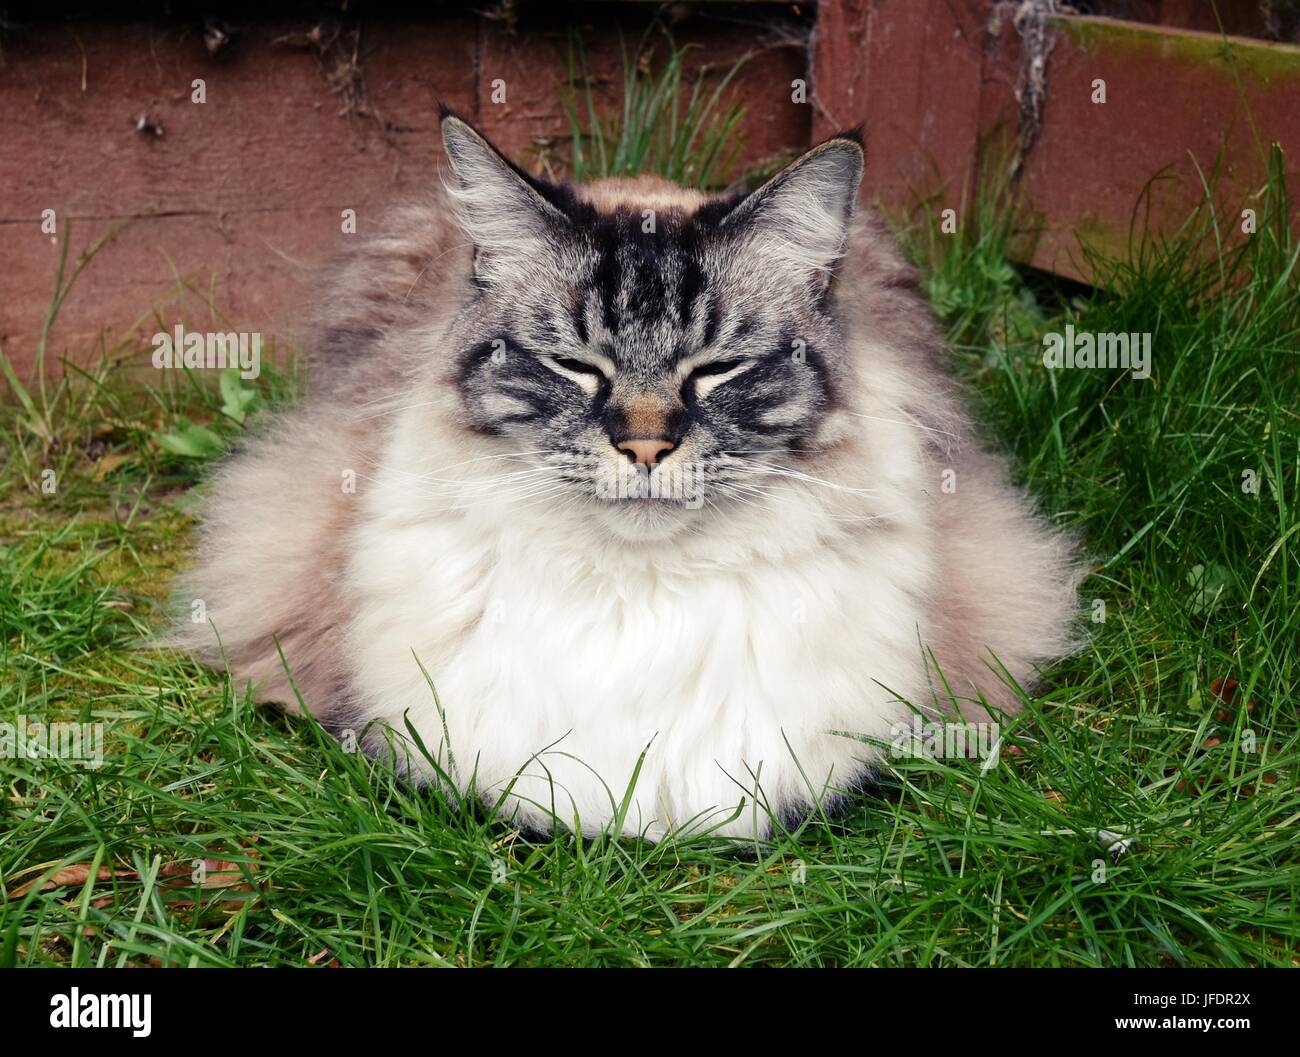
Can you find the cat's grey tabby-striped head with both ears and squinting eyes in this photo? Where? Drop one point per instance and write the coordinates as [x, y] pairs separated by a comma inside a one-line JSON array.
[[656, 352]]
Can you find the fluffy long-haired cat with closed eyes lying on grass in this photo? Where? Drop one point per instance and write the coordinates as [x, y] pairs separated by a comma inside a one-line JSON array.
[[636, 504]]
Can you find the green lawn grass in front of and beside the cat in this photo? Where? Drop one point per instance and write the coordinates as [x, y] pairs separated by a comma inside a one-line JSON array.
[[942, 865]]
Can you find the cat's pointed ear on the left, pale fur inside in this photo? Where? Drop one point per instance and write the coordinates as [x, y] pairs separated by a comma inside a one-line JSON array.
[[497, 205]]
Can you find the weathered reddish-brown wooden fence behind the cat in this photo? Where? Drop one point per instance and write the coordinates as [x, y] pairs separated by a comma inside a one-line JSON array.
[[229, 205]]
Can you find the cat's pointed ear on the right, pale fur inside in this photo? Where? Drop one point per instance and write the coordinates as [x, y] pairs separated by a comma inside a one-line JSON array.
[[800, 219]]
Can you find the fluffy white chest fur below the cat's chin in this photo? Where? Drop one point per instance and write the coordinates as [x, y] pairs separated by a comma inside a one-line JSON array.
[[561, 657]]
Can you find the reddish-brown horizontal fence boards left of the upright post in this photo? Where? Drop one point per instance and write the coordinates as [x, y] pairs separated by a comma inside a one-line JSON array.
[[242, 196]]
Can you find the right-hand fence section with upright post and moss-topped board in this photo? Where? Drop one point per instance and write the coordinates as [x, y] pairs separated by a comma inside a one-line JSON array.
[[931, 81]]
